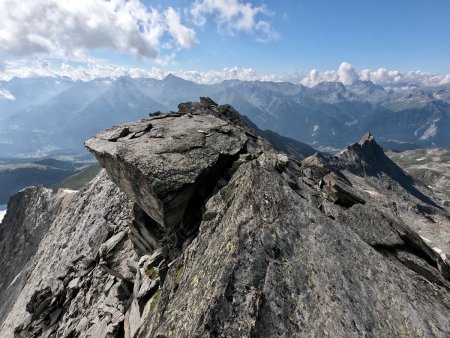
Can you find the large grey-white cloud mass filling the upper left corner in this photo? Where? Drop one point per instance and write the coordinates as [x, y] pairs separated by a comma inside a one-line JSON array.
[[69, 28]]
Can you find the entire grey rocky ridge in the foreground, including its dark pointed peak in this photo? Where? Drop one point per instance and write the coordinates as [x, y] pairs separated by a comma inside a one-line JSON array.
[[203, 229]]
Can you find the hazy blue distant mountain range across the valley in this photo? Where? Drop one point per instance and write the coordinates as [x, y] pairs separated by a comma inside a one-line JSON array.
[[45, 116]]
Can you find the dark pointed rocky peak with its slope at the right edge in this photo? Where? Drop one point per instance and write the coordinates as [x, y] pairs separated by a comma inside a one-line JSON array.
[[365, 166]]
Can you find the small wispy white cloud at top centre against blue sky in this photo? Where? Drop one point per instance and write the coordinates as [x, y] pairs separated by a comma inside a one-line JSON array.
[[235, 16]]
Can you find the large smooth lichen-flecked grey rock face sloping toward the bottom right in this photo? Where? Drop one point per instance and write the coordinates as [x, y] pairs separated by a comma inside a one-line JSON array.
[[282, 268]]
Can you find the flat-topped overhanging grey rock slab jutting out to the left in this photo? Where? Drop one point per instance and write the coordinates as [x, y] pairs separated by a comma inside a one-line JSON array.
[[161, 162]]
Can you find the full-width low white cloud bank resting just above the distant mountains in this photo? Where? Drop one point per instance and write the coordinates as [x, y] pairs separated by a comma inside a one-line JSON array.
[[96, 68]]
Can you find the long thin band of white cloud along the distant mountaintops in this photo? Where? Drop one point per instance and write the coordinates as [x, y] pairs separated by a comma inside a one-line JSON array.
[[345, 73]]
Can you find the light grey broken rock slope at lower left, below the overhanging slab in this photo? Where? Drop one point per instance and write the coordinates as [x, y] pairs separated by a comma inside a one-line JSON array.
[[62, 289]]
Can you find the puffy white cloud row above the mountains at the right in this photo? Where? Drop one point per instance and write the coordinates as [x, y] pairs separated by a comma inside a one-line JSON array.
[[388, 78]]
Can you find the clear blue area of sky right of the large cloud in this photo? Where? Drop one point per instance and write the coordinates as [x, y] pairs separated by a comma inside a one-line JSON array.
[[402, 35]]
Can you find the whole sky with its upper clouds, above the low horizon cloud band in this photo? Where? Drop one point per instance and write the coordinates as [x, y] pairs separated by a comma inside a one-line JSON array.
[[270, 37]]
